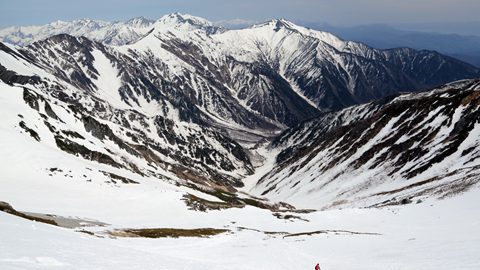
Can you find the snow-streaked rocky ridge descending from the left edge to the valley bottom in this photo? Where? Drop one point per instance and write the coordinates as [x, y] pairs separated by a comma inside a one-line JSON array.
[[84, 116]]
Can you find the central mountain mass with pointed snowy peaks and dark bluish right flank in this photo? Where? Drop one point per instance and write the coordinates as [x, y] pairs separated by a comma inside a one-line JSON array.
[[287, 72]]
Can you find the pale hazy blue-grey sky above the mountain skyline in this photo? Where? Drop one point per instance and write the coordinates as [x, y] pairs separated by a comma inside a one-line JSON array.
[[338, 12]]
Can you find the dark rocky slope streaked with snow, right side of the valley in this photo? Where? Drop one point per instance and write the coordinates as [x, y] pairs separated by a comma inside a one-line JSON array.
[[390, 152]]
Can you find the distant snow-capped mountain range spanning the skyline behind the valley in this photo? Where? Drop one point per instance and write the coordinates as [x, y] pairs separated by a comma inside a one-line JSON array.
[[324, 71]]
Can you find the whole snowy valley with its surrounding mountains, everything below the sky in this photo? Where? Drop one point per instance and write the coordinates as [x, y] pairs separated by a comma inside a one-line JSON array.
[[177, 144]]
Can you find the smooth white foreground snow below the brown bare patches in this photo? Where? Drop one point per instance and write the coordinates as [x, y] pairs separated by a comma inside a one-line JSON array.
[[438, 235]]
